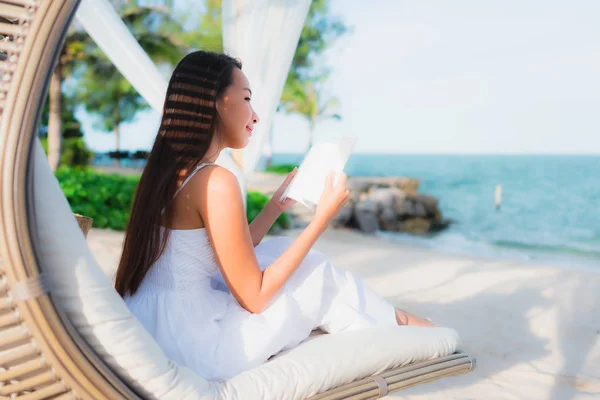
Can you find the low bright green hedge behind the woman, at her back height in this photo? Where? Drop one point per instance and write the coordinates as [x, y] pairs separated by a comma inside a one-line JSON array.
[[107, 198]]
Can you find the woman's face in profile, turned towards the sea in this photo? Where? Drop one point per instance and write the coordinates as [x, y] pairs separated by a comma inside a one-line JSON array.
[[236, 115]]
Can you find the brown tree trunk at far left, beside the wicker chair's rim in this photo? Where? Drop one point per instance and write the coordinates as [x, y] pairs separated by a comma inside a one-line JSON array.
[[54, 120]]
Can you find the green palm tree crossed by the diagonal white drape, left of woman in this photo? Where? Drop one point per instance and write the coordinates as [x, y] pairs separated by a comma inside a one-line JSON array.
[[104, 92]]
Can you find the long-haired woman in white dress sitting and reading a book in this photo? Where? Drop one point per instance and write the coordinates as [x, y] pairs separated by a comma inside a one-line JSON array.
[[188, 226]]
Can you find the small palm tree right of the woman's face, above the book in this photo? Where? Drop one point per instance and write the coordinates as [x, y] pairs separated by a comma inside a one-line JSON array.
[[307, 99]]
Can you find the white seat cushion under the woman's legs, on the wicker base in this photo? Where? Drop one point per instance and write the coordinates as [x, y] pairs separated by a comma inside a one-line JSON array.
[[326, 361]]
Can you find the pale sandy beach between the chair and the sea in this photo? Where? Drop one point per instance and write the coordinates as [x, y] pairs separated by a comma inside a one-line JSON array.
[[534, 329]]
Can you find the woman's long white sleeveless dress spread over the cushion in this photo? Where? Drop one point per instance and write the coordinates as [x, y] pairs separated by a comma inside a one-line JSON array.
[[185, 305]]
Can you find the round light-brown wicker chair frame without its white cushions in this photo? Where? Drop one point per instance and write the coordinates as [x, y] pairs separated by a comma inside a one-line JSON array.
[[43, 353]]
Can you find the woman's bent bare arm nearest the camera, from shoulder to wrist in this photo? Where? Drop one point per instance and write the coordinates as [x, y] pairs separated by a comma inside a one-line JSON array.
[[221, 207]]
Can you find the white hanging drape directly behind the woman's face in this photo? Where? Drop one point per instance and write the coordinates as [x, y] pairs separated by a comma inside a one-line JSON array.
[[264, 35]]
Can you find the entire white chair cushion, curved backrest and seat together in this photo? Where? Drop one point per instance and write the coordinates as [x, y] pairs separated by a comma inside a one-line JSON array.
[[102, 318]]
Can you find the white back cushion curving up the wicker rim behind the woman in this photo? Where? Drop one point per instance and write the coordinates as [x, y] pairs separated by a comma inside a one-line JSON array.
[[93, 305]]
